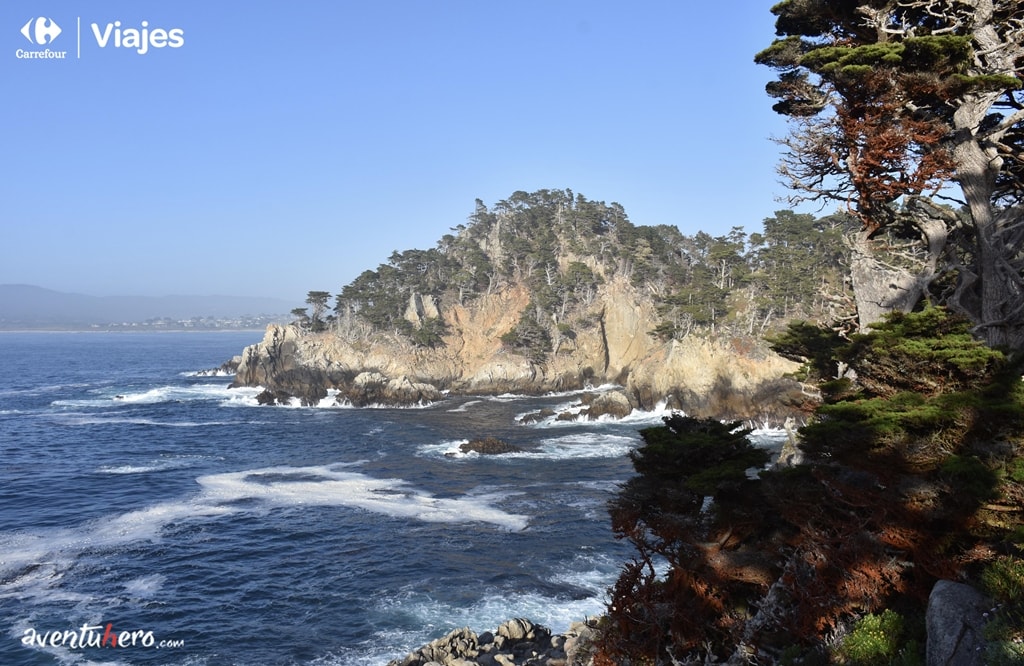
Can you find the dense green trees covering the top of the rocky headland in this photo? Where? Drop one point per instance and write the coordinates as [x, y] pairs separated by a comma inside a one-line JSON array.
[[565, 247]]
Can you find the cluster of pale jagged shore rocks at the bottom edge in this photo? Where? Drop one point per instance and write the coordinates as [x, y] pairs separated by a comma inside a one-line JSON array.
[[517, 643]]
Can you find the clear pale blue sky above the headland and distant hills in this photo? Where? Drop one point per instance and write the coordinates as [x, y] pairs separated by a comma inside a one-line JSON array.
[[287, 147]]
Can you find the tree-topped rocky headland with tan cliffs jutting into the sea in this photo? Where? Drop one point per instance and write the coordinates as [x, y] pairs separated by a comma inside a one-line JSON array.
[[545, 293]]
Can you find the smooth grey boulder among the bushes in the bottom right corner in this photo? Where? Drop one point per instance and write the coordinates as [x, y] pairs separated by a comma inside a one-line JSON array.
[[956, 619]]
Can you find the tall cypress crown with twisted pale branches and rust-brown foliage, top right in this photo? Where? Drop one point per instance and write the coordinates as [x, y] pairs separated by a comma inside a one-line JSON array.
[[888, 99]]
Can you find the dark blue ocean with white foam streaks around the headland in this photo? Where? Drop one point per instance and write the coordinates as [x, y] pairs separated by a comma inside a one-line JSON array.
[[151, 515]]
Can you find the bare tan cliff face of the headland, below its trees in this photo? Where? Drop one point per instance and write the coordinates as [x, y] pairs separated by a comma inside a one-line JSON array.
[[609, 345]]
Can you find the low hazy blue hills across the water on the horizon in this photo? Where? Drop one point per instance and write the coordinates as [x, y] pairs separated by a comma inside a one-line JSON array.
[[28, 307]]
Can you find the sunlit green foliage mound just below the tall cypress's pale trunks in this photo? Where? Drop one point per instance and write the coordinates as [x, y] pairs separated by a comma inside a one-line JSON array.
[[925, 388]]
